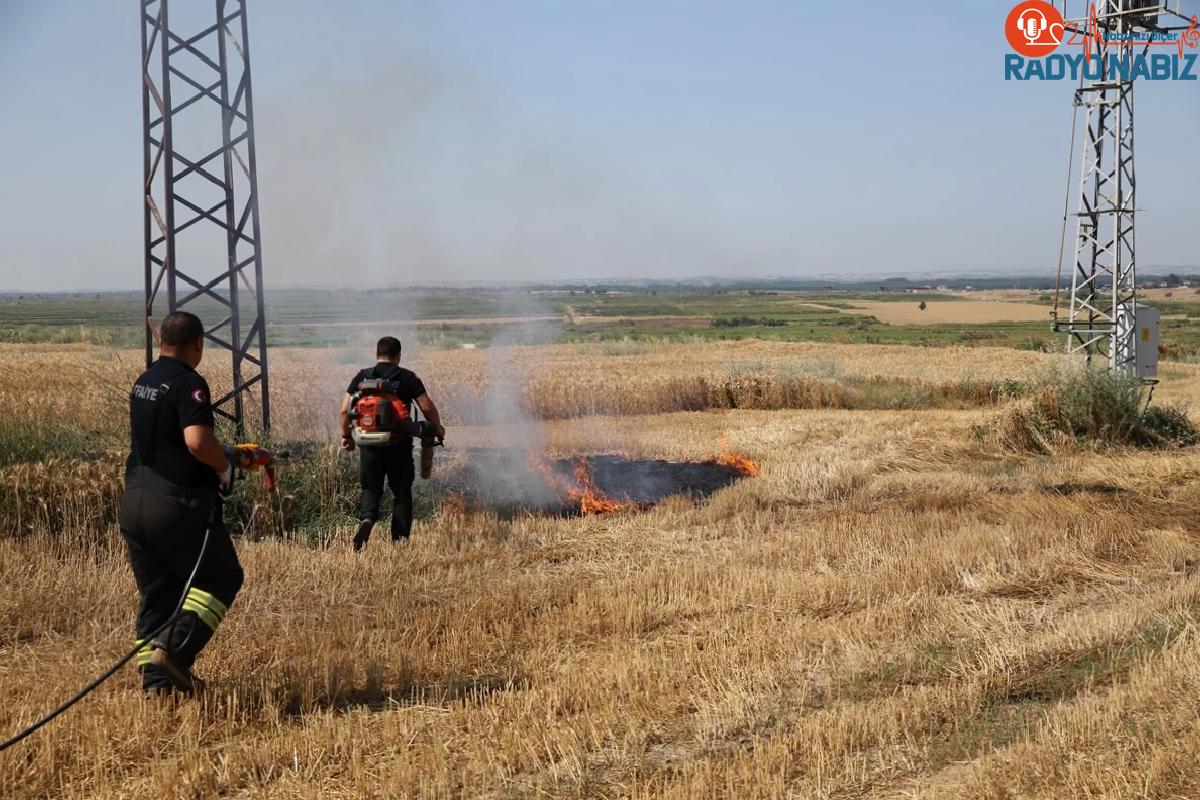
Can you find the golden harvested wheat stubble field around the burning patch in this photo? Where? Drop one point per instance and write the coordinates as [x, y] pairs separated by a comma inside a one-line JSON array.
[[892, 609]]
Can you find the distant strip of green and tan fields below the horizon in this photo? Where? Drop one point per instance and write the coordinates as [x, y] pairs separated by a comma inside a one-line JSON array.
[[453, 318]]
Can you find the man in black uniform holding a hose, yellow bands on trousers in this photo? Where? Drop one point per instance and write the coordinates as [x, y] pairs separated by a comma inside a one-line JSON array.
[[173, 477]]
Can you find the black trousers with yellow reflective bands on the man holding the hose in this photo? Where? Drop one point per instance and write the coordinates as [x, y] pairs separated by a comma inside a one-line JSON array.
[[164, 532]]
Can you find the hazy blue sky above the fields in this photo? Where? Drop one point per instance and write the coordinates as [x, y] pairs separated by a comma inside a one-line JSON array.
[[532, 140]]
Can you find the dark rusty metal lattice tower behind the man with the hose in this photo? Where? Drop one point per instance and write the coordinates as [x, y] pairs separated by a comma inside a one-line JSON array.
[[202, 225]]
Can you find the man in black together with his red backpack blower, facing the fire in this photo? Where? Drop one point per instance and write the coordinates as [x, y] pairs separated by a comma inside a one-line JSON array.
[[379, 419]]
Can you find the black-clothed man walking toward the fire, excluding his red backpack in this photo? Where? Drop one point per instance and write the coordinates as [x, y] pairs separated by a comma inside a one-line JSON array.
[[393, 461]]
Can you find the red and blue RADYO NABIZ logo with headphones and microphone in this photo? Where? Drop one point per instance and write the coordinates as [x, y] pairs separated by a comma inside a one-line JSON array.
[[1037, 32]]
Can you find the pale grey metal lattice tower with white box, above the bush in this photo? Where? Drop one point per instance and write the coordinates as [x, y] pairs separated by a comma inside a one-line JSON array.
[[1105, 287]]
